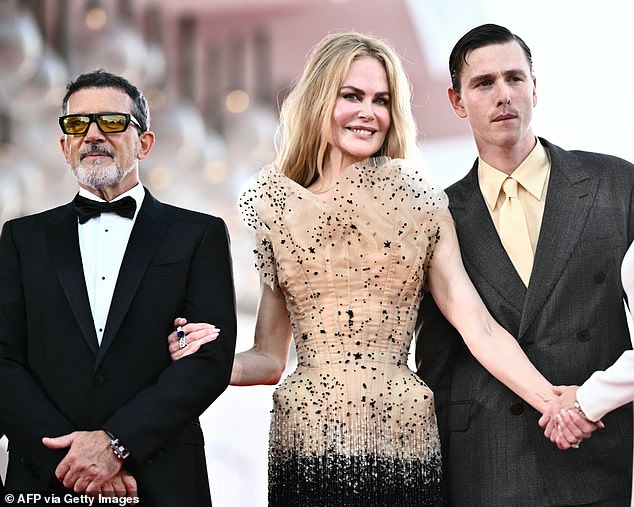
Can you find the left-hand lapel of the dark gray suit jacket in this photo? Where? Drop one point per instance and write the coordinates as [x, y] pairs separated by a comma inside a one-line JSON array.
[[483, 253]]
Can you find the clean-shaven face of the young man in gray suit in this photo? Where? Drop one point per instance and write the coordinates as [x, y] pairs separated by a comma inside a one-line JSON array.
[[497, 96]]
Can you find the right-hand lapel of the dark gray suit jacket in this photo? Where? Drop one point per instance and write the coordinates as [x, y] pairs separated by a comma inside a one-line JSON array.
[[571, 192]]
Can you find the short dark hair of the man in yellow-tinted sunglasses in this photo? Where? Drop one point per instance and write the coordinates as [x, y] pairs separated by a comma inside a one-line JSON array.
[[102, 79]]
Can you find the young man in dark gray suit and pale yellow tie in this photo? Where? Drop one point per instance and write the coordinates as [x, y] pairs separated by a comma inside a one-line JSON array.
[[560, 294]]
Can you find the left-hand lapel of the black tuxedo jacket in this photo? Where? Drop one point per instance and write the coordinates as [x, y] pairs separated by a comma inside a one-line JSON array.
[[63, 241]]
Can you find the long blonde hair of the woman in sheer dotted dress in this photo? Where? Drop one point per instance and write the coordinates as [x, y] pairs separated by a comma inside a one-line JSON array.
[[306, 113]]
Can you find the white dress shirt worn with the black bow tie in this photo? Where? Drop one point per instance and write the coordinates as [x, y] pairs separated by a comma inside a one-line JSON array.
[[102, 243]]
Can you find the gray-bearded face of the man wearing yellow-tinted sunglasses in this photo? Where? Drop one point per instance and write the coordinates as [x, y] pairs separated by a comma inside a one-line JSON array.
[[104, 164]]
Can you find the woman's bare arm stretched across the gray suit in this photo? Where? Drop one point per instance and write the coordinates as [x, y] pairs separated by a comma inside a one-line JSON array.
[[490, 344]]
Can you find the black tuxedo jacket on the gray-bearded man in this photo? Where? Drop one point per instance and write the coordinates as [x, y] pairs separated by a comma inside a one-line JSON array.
[[54, 376]]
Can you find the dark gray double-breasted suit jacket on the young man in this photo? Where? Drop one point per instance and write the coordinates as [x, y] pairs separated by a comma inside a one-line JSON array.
[[570, 321]]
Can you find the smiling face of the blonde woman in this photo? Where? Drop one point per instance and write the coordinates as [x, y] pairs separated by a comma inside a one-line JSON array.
[[361, 117]]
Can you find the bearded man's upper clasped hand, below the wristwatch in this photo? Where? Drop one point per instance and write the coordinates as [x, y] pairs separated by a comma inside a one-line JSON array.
[[89, 463]]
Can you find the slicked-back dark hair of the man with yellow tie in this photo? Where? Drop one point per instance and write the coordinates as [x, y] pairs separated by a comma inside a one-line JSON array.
[[478, 37]]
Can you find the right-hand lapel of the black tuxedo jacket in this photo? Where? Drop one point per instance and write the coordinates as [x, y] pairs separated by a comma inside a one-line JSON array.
[[146, 235]]
